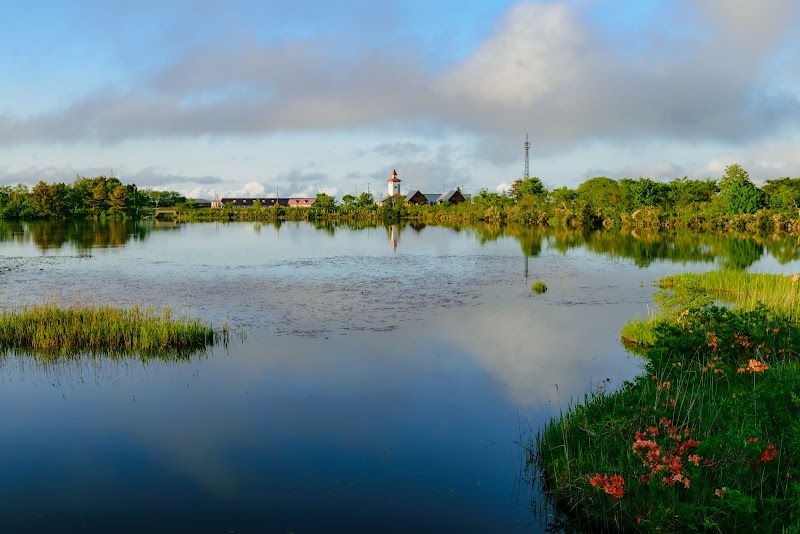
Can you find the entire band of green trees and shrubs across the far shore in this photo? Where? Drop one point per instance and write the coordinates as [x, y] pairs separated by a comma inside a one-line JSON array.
[[732, 203]]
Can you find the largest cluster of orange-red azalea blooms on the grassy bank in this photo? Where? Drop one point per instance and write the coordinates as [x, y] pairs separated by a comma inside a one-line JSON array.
[[667, 462]]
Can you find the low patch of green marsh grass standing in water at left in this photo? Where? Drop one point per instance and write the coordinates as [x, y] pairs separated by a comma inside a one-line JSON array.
[[52, 330]]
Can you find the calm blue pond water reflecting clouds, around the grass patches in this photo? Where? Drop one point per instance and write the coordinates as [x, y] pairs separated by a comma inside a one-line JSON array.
[[383, 383]]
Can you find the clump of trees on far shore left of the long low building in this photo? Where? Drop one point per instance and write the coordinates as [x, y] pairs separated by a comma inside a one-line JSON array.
[[86, 197]]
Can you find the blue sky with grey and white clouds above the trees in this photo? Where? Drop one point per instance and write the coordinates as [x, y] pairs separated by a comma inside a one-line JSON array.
[[272, 98]]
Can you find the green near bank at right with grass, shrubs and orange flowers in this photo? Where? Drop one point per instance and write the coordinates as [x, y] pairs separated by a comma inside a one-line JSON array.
[[707, 438]]
